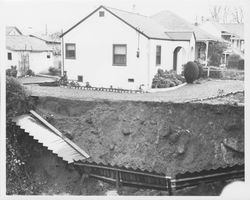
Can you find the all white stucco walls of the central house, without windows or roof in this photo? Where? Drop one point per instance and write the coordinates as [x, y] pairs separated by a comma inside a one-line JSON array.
[[94, 39]]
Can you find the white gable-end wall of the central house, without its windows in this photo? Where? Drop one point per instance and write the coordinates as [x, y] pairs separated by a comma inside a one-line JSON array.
[[94, 40]]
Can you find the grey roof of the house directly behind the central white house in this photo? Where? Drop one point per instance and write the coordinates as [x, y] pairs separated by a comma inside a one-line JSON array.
[[173, 22]]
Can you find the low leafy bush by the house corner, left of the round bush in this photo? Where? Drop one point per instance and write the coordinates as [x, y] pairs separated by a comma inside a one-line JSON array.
[[165, 79]]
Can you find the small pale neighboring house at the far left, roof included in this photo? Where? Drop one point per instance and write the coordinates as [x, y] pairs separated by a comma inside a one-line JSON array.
[[27, 52]]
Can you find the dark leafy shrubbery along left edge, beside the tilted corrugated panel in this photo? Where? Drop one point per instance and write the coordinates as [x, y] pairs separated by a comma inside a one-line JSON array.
[[18, 102]]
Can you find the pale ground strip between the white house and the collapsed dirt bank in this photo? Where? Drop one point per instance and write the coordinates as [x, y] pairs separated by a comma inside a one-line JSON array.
[[186, 93]]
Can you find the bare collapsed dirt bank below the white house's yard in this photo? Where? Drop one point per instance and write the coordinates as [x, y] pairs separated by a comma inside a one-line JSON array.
[[166, 137]]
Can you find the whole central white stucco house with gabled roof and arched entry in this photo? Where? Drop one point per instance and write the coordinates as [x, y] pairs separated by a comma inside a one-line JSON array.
[[111, 47]]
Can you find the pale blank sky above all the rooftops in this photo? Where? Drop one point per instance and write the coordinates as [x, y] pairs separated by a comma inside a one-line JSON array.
[[34, 16]]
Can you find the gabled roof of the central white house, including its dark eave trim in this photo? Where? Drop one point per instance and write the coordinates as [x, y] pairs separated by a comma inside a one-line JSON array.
[[145, 25]]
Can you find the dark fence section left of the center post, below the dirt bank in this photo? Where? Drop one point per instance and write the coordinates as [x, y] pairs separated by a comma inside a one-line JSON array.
[[122, 176]]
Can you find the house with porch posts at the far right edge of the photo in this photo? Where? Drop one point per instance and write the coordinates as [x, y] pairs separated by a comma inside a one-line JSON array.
[[232, 33]]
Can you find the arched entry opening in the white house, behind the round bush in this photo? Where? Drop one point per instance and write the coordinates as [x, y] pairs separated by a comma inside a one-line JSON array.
[[178, 59]]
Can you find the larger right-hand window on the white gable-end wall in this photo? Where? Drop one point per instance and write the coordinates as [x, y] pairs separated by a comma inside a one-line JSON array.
[[120, 54]]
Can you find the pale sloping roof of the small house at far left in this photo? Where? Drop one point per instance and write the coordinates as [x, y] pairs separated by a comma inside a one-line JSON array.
[[25, 43]]
